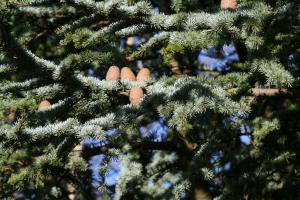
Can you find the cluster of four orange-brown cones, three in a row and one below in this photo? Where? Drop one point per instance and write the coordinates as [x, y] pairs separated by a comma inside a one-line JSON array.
[[136, 93]]
